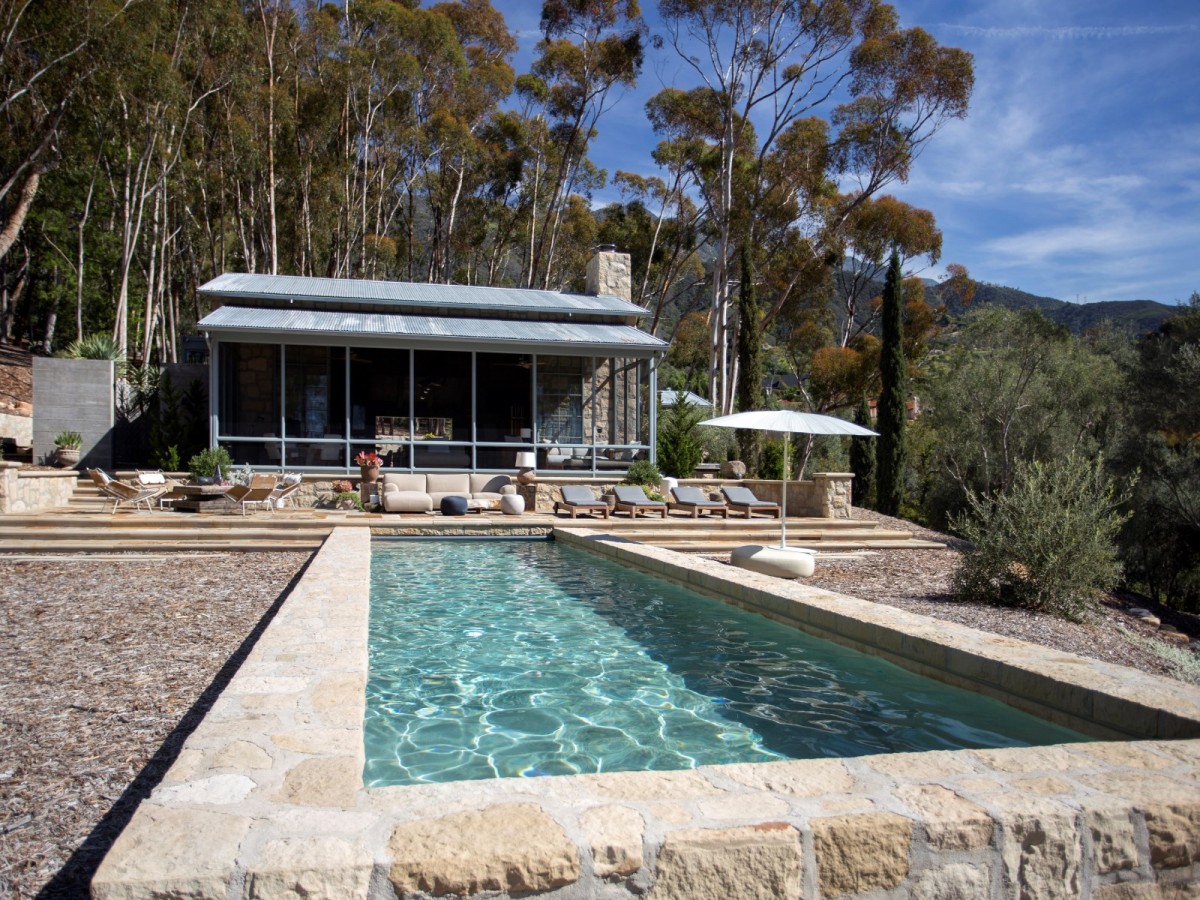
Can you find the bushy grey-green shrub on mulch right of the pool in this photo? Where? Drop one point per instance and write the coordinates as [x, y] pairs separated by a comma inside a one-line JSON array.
[[1047, 543]]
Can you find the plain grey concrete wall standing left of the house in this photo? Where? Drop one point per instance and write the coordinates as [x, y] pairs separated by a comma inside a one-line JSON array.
[[74, 395]]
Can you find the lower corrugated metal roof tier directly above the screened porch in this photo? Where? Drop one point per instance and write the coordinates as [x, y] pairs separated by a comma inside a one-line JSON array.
[[429, 328]]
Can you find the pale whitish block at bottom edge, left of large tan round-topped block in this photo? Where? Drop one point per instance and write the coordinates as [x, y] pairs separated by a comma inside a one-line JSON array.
[[310, 869]]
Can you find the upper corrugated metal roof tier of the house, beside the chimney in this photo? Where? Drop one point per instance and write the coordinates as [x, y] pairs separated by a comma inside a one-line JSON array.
[[459, 297]]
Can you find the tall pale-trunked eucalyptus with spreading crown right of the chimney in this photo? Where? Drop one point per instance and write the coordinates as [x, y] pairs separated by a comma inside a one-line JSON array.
[[771, 64]]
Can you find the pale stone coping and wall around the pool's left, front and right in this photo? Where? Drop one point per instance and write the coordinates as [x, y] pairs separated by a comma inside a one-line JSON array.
[[267, 800]]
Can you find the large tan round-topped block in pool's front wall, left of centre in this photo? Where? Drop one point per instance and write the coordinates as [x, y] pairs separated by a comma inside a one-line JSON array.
[[512, 848]]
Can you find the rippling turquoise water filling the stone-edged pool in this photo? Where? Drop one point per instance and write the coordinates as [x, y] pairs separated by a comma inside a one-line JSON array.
[[503, 659]]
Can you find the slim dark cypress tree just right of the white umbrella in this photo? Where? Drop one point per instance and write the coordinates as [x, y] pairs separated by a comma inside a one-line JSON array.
[[891, 449]]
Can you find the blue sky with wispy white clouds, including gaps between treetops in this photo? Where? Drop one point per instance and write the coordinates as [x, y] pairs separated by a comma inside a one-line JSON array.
[[1077, 173]]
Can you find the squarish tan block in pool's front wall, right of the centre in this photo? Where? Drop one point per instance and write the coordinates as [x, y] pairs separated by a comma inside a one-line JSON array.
[[863, 853]]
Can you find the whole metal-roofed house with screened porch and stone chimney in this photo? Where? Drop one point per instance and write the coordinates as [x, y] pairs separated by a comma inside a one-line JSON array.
[[308, 373]]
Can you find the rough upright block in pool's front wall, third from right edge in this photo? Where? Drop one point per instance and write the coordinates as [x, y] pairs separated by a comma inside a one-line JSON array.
[[1041, 847]]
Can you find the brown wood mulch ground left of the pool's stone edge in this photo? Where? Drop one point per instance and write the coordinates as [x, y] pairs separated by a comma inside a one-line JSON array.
[[106, 668]]
